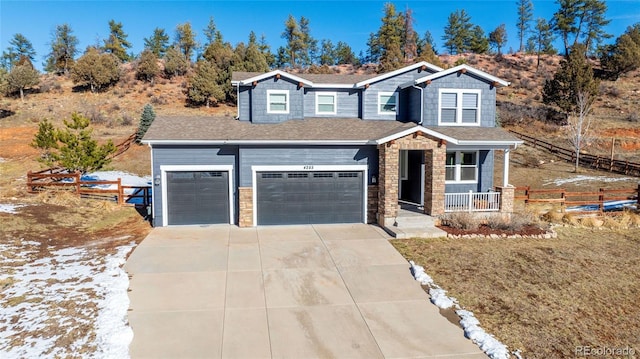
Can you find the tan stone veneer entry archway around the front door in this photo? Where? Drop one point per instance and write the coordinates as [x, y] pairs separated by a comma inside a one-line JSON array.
[[435, 157]]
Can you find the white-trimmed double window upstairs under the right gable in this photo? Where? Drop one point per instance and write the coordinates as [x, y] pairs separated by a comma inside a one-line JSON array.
[[459, 107]]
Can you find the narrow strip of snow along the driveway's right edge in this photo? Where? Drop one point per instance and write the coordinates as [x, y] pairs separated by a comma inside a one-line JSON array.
[[487, 343]]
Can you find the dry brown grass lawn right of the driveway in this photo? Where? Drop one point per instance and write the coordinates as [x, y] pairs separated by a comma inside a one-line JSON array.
[[543, 296]]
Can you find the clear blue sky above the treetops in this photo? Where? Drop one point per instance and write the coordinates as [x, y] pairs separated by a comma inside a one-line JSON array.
[[349, 21]]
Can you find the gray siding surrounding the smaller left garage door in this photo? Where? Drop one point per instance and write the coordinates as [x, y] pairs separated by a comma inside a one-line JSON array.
[[187, 156]]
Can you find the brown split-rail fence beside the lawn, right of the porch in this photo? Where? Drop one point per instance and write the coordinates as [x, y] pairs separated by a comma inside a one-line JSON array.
[[596, 200]]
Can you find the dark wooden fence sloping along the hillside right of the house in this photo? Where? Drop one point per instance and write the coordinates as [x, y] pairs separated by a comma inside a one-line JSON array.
[[586, 160]]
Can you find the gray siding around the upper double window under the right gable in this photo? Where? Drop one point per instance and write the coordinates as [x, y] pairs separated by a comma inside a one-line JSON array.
[[464, 81]]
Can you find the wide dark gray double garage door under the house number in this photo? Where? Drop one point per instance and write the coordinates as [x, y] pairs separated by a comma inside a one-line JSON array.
[[309, 197]]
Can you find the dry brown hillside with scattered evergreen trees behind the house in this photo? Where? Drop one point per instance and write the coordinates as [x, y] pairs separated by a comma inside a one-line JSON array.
[[187, 71]]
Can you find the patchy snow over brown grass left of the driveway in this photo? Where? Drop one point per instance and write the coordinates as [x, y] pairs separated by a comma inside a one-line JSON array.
[[70, 303]]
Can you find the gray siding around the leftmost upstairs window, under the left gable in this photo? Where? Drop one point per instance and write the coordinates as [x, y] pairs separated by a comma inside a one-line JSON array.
[[259, 101]]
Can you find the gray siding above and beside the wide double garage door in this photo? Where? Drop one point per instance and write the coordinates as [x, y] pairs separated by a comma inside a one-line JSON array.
[[309, 155]]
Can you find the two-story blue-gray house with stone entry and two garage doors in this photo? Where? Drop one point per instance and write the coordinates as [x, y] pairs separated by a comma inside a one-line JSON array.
[[333, 149]]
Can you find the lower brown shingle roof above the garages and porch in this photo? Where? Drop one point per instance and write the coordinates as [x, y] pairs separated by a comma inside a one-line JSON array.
[[167, 129]]
